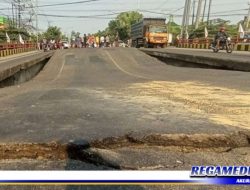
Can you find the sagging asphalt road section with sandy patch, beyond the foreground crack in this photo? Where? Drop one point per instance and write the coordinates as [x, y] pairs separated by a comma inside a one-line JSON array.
[[88, 94]]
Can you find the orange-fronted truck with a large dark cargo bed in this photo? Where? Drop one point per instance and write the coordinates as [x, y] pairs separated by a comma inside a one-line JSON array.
[[149, 32]]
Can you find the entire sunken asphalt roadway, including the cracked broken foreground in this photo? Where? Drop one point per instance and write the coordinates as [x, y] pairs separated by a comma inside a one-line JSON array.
[[84, 95]]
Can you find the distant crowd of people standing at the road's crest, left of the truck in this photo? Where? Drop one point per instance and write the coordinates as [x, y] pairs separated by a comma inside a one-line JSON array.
[[91, 41]]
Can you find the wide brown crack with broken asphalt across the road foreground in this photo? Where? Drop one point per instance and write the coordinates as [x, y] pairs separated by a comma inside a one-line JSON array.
[[112, 152]]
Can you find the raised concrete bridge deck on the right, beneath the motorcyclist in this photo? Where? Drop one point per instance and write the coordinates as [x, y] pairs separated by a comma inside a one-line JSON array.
[[239, 61]]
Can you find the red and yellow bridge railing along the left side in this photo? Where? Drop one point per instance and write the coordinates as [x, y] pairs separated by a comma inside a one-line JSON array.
[[7, 49]]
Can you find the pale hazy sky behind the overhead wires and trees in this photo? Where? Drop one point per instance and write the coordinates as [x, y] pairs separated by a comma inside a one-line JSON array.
[[233, 10]]
